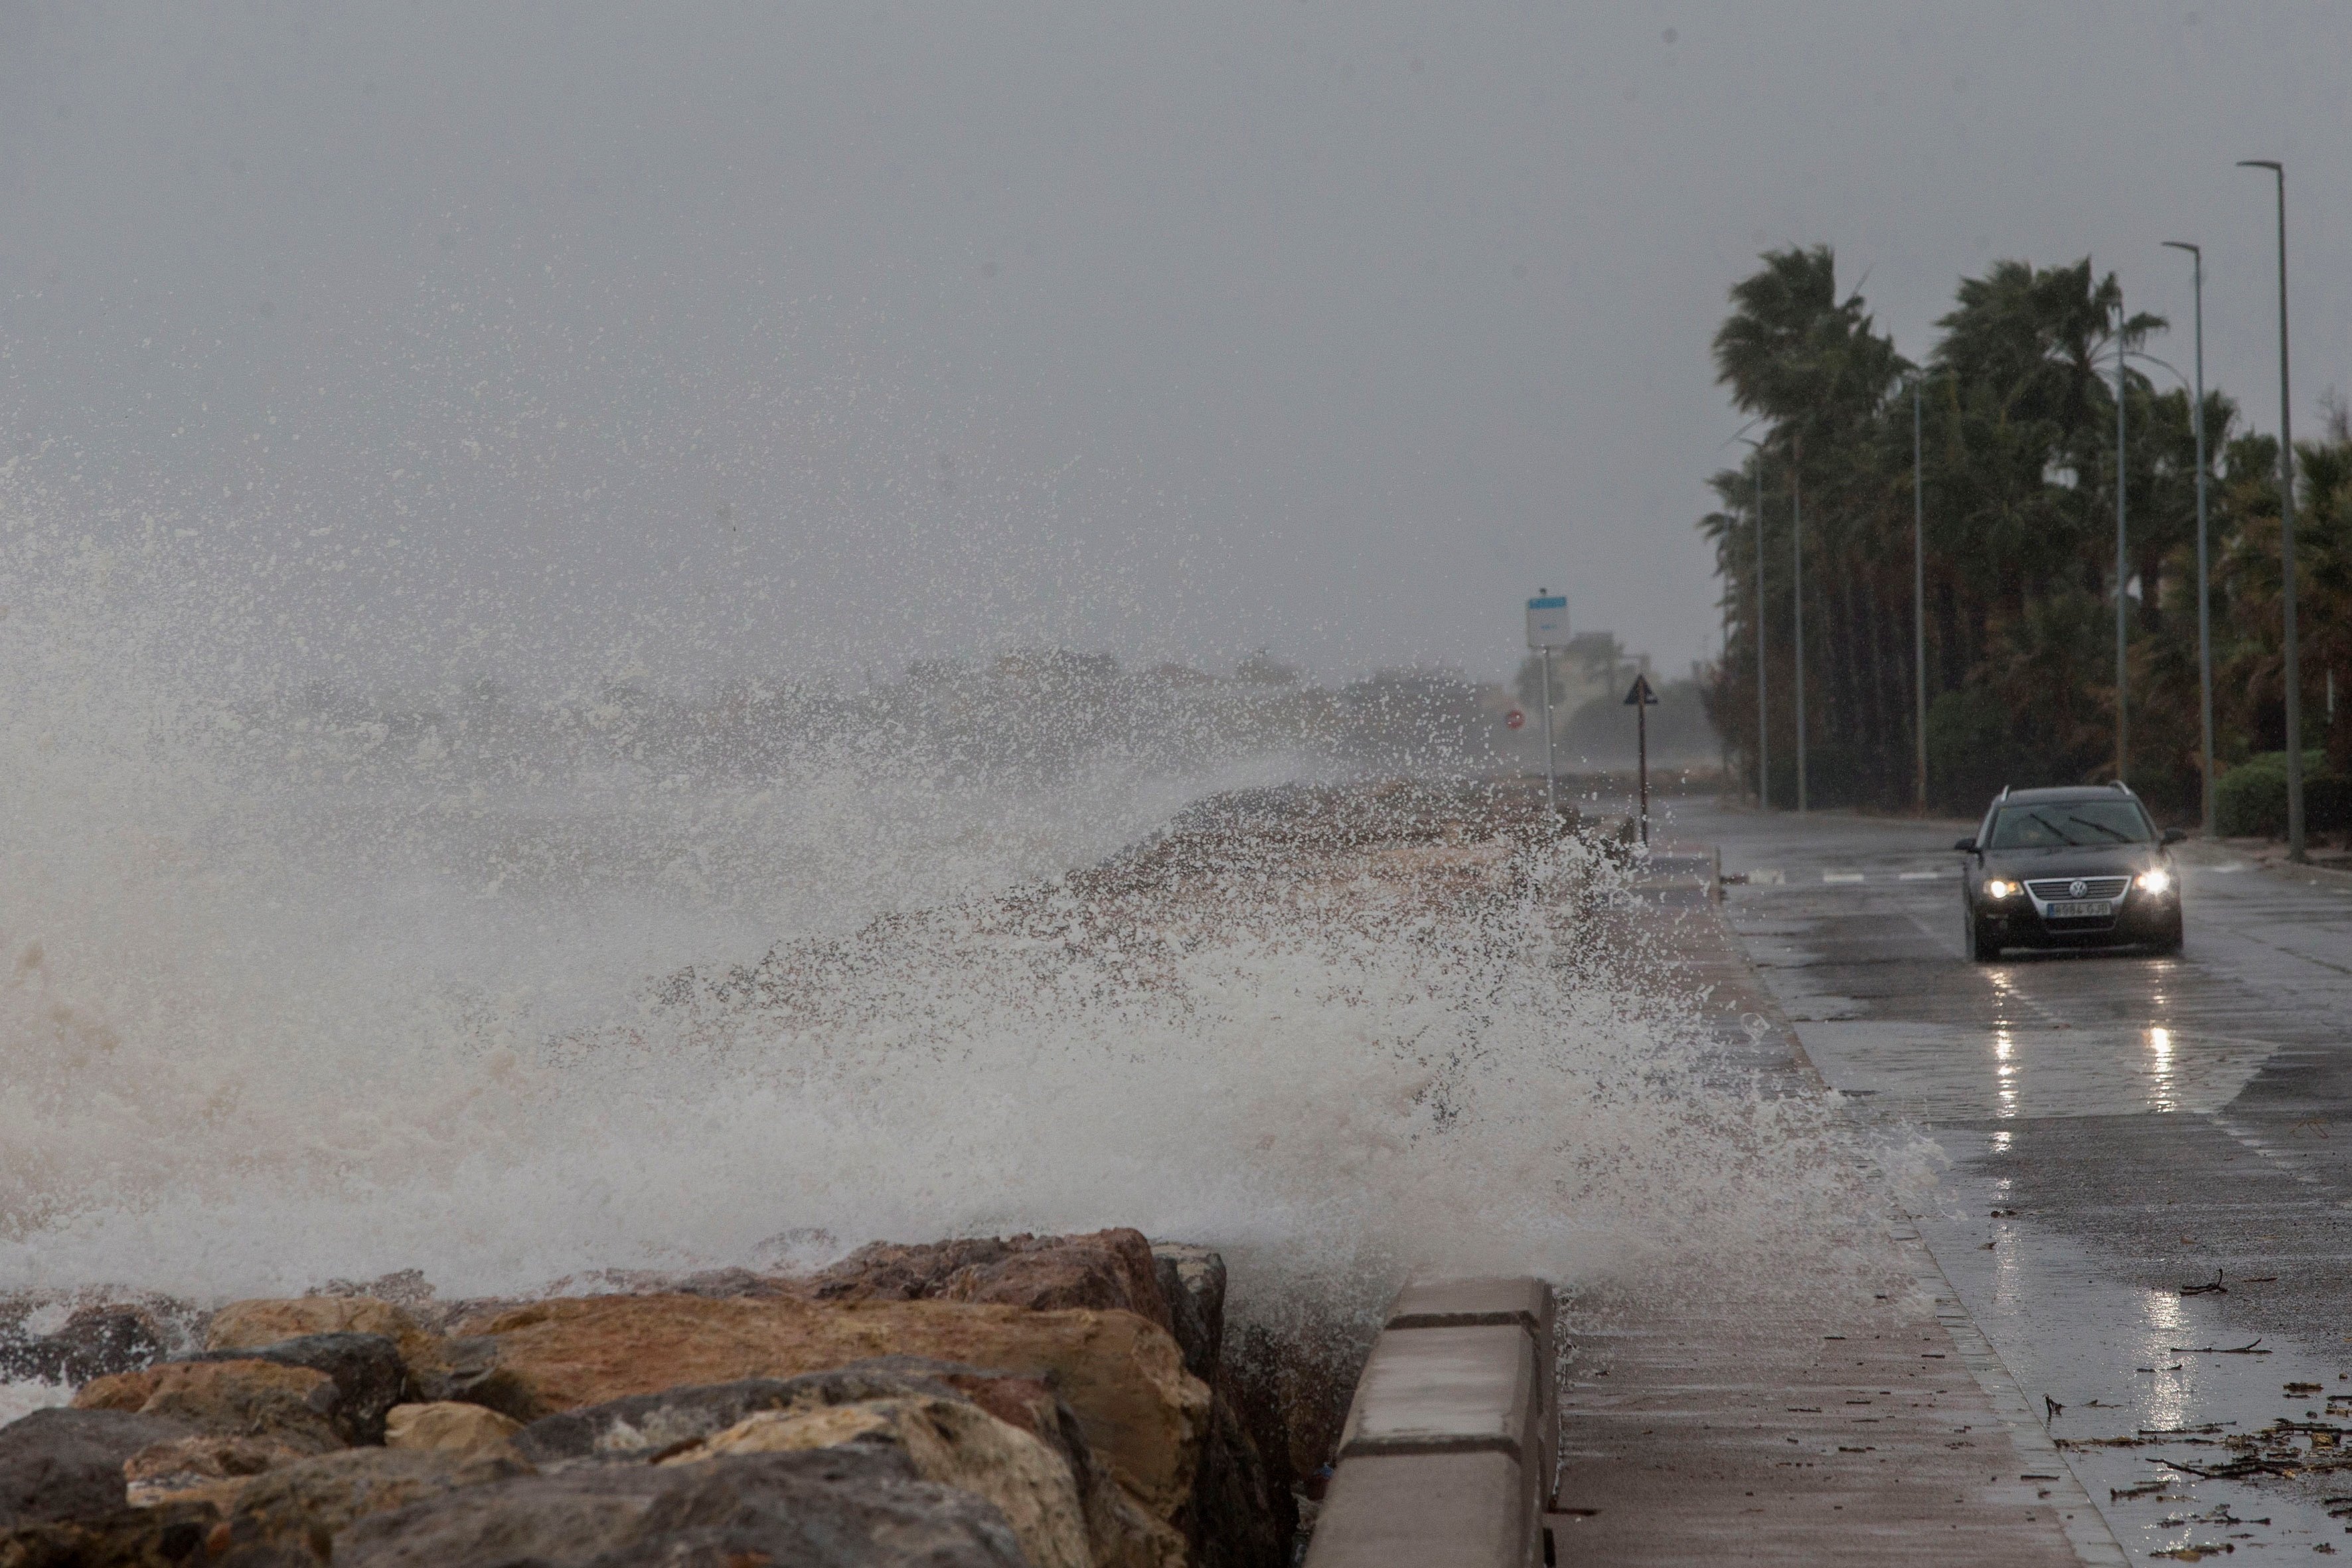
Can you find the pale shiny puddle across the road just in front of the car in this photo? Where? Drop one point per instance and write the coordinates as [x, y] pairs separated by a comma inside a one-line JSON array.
[[1975, 1073]]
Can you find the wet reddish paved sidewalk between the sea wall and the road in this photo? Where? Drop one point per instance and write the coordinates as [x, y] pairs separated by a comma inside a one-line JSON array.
[[1763, 1433]]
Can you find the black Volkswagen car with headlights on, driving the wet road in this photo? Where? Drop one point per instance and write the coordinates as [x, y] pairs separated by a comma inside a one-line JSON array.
[[2071, 869]]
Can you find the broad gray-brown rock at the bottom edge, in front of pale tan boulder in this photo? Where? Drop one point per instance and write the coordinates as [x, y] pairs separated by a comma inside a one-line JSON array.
[[834, 1508]]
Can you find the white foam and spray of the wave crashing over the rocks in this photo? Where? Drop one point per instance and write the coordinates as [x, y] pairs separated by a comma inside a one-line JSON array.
[[293, 998]]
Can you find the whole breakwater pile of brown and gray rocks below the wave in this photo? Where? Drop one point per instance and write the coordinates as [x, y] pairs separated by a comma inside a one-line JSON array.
[[1045, 1402]]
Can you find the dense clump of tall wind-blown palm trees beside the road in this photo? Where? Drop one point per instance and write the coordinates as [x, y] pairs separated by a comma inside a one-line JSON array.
[[2022, 558]]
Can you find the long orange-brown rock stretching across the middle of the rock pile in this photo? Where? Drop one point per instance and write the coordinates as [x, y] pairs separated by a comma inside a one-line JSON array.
[[1121, 1374]]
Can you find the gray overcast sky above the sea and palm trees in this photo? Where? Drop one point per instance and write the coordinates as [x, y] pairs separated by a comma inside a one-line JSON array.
[[850, 333]]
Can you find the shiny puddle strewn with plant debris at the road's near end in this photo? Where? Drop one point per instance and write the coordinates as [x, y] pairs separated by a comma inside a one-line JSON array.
[[2177, 1442]]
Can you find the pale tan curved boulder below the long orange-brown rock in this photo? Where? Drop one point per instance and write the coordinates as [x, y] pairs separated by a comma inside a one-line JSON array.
[[947, 1440]]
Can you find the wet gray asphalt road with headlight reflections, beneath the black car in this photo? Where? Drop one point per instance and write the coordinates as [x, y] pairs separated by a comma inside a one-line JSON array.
[[2116, 1130]]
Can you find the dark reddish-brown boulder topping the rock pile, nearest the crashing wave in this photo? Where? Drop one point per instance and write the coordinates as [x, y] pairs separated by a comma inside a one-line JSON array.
[[1104, 1271]]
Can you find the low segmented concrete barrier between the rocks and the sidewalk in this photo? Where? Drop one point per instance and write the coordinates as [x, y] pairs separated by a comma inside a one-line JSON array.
[[1452, 1438]]
